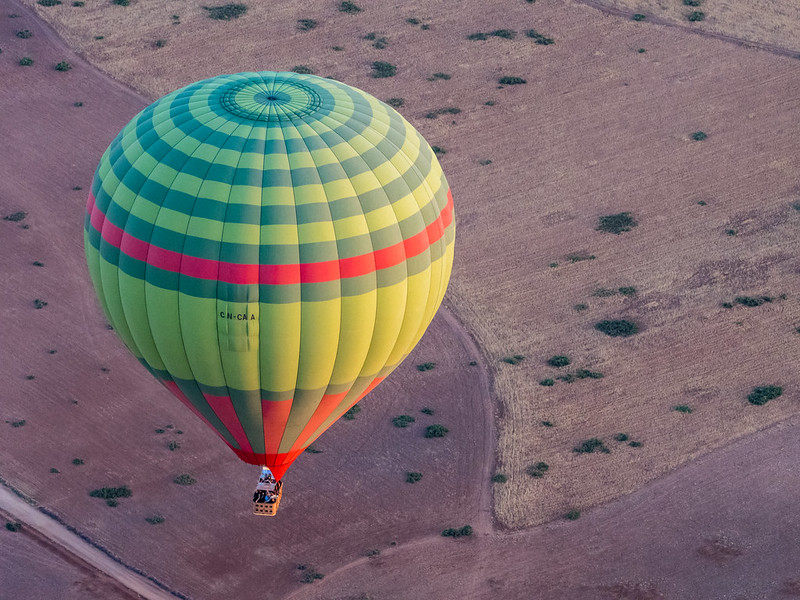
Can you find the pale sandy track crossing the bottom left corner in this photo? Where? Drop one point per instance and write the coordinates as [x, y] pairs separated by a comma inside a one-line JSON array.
[[71, 543]]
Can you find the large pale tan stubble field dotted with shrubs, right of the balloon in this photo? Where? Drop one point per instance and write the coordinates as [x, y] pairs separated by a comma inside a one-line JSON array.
[[599, 128]]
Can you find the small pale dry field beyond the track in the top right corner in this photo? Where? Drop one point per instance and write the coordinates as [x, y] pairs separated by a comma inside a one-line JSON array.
[[774, 22]]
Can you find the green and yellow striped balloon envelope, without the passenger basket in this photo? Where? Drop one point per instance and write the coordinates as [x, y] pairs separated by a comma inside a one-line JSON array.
[[270, 246]]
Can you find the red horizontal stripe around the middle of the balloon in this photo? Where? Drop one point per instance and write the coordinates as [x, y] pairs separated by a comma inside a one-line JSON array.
[[203, 268]]
